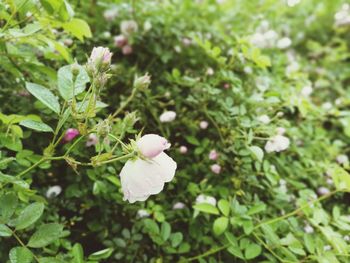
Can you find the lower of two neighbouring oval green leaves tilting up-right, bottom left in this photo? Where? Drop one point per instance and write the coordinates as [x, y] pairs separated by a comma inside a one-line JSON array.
[[45, 235]]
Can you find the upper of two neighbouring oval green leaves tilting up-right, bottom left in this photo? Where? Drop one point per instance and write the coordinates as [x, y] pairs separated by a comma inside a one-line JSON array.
[[29, 215]]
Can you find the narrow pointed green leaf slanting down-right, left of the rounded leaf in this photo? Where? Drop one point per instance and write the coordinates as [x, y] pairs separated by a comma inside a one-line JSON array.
[[44, 95]]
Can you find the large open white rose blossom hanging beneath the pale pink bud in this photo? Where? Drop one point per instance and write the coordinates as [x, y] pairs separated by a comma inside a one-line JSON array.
[[142, 178]]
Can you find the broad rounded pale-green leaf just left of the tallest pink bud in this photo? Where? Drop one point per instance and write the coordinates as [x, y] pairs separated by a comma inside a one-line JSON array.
[[66, 86]]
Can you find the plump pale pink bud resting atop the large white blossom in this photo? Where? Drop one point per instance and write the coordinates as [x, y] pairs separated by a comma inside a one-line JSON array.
[[151, 145]]
